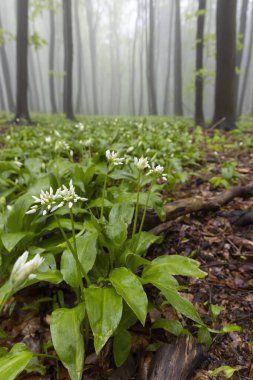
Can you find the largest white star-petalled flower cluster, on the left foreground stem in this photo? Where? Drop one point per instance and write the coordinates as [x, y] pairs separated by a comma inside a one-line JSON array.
[[48, 201]]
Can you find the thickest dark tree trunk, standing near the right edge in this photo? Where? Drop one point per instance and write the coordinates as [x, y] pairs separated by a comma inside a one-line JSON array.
[[225, 64]]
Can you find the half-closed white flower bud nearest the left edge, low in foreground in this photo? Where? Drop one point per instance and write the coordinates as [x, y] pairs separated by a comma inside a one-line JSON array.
[[23, 269]]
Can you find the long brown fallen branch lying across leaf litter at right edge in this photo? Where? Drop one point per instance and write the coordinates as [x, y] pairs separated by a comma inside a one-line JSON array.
[[194, 204]]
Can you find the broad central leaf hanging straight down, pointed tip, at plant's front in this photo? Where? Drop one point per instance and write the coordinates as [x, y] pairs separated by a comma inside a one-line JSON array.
[[104, 309]]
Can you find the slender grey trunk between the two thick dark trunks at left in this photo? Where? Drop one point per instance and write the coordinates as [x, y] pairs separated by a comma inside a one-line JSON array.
[[51, 61]]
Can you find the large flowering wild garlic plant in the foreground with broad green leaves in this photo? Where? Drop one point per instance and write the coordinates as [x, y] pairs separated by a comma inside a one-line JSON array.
[[103, 264]]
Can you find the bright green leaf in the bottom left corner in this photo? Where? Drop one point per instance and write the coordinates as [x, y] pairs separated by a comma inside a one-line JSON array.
[[13, 363]]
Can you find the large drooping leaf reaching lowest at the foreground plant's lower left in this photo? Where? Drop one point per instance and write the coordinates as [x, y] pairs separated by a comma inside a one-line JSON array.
[[67, 339]]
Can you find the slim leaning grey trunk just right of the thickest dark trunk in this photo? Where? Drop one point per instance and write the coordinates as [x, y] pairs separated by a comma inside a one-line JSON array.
[[239, 53]]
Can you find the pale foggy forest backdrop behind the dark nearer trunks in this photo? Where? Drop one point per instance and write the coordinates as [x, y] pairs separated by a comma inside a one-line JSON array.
[[110, 43]]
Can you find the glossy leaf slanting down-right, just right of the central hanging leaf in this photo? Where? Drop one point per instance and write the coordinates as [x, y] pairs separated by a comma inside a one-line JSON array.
[[129, 287]]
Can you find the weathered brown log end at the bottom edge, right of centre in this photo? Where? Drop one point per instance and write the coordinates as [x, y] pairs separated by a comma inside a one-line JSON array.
[[178, 360]]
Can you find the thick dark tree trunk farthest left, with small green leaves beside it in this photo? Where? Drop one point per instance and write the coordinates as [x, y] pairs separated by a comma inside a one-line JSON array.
[[22, 67]]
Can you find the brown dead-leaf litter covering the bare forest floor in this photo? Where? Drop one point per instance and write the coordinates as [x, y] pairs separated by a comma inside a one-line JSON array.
[[225, 251]]
